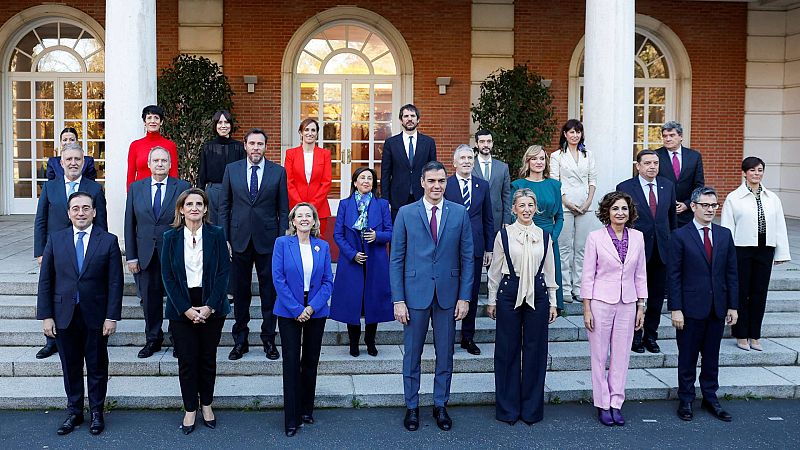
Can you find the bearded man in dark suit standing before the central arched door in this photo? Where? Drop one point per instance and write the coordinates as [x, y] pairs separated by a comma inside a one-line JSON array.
[[404, 155]]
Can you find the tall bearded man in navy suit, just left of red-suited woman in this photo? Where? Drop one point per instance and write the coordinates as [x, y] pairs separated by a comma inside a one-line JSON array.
[[254, 211]]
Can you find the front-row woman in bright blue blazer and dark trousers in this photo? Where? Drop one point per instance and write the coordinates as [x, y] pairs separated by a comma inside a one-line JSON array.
[[301, 273]]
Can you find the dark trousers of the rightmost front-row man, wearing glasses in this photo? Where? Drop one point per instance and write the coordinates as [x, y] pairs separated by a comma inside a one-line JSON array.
[[699, 337]]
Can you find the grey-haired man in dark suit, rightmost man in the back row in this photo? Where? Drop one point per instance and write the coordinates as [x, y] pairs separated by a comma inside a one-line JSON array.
[[682, 166]]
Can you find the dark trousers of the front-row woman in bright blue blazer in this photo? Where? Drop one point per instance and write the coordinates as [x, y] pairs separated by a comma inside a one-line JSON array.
[[301, 343]]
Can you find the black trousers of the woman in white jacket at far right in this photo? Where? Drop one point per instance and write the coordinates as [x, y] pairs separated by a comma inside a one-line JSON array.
[[755, 268]]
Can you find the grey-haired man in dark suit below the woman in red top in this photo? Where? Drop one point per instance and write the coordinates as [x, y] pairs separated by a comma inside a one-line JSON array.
[[149, 212]]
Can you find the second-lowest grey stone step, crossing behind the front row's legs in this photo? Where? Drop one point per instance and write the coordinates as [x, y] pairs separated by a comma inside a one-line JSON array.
[[336, 360]]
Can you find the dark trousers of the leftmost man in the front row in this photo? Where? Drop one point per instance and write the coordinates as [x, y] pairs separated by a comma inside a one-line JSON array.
[[78, 343]]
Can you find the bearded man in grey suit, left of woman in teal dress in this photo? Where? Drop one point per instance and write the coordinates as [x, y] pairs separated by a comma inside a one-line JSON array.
[[496, 173]]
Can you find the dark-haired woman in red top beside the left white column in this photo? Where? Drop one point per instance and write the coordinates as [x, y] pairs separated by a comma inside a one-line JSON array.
[[153, 117]]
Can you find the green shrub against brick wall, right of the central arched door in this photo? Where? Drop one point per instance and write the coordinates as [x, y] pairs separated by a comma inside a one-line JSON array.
[[517, 108]]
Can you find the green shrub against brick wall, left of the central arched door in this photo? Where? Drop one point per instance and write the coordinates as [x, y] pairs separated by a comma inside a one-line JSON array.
[[190, 91]]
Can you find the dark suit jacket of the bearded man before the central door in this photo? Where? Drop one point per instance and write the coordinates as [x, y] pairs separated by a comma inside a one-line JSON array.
[[398, 175]]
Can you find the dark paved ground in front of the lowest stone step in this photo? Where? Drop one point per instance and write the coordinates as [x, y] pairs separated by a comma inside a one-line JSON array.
[[757, 424]]
